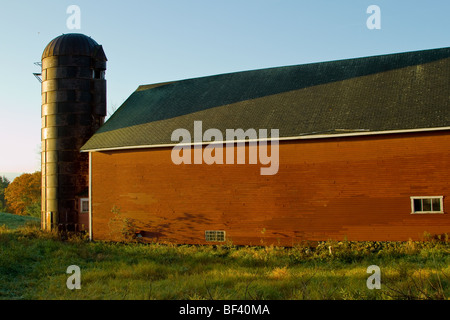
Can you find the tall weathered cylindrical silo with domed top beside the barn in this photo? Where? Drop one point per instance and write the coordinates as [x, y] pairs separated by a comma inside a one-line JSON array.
[[73, 108]]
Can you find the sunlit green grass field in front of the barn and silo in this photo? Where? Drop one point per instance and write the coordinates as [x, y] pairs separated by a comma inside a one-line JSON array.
[[33, 265]]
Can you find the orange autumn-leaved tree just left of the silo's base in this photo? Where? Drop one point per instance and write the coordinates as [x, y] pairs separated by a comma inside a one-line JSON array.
[[23, 195]]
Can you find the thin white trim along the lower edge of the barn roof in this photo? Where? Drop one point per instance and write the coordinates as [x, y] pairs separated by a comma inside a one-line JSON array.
[[301, 137]]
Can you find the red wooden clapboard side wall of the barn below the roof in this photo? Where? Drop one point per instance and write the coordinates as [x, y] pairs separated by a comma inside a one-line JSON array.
[[354, 188]]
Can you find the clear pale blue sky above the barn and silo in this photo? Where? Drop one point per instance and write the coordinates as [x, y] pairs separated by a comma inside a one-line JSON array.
[[154, 41]]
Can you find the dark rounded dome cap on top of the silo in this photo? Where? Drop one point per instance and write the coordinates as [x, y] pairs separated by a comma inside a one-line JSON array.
[[74, 44]]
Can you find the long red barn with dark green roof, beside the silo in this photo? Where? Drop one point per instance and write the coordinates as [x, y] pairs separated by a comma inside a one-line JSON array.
[[359, 150]]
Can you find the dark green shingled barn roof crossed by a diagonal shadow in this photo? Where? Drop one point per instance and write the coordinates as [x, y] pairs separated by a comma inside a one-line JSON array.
[[404, 91]]
